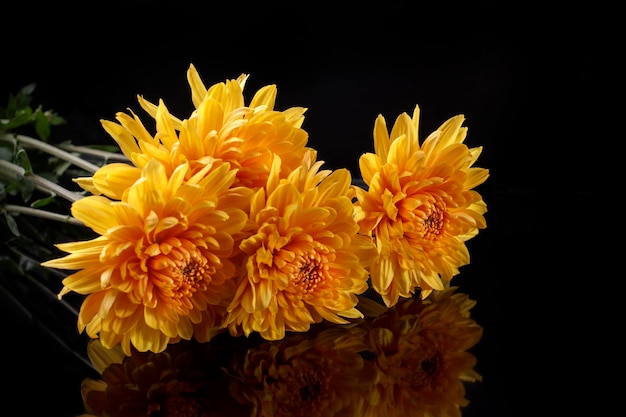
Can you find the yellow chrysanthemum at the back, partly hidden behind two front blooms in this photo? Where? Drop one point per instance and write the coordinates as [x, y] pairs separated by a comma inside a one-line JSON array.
[[221, 129]]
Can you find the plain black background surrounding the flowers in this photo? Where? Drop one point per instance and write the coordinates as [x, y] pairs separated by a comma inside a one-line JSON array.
[[531, 80]]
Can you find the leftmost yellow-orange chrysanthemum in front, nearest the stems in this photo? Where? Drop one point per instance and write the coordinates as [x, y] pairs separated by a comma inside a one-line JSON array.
[[160, 269]]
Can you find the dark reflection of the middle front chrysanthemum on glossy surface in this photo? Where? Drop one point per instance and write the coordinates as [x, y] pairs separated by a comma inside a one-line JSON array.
[[320, 373]]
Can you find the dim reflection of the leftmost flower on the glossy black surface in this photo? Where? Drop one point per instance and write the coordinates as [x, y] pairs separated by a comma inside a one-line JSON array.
[[184, 380]]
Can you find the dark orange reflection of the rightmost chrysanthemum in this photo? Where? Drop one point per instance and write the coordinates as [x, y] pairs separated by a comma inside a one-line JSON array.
[[421, 349]]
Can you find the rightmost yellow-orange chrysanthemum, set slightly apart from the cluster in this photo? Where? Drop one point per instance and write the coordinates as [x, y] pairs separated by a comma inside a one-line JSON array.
[[420, 205]]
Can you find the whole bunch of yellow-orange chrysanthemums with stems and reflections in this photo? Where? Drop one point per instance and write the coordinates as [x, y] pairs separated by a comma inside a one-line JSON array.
[[224, 271]]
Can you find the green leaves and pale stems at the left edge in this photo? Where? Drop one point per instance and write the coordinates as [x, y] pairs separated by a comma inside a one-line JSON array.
[[24, 166]]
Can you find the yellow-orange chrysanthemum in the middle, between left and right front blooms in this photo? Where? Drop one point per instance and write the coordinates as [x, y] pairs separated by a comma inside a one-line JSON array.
[[304, 260]]
